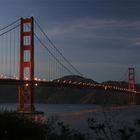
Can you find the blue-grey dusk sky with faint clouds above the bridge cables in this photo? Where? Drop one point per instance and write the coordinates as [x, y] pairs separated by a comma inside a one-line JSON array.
[[101, 38]]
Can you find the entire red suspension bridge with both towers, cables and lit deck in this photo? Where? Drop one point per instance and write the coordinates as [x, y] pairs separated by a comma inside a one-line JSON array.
[[30, 59]]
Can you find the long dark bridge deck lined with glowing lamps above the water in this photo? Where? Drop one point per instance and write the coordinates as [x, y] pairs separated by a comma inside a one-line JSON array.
[[70, 84]]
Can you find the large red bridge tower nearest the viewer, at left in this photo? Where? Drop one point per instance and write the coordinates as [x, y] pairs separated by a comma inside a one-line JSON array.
[[25, 92]]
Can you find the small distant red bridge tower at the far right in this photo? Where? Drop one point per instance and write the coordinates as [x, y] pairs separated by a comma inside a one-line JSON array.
[[131, 84]]
